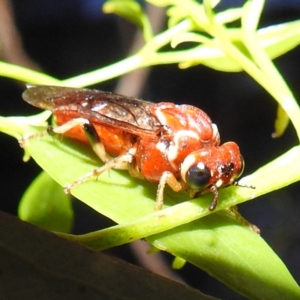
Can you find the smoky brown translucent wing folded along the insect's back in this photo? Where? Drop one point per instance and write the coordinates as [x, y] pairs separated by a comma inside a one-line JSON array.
[[131, 114]]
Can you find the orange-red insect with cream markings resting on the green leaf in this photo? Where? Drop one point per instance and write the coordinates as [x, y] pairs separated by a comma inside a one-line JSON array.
[[164, 143]]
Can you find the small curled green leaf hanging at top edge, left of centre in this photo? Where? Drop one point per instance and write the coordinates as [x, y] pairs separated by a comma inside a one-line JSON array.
[[133, 12]]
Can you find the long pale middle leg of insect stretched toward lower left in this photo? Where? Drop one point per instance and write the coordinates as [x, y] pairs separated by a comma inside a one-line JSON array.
[[120, 162]]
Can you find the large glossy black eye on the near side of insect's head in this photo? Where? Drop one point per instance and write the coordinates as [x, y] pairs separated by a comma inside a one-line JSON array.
[[198, 176]]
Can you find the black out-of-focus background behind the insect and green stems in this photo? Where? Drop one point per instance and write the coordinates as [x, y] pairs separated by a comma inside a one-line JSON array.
[[67, 38]]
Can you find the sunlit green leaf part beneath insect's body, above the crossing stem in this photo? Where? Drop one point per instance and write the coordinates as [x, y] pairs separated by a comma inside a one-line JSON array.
[[67, 160]]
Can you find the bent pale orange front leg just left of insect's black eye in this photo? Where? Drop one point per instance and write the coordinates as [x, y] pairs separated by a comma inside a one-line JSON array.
[[166, 178]]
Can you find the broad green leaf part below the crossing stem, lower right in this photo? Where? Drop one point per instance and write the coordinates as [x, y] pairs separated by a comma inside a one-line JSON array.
[[246, 263]]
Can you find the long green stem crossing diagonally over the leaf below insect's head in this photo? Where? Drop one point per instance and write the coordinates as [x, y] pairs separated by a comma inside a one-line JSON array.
[[188, 211]]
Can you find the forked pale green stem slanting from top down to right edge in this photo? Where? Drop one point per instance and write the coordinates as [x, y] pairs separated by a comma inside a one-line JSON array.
[[258, 66]]
